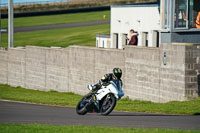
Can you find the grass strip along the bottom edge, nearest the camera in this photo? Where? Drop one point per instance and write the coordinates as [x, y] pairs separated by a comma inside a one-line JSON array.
[[36, 128]]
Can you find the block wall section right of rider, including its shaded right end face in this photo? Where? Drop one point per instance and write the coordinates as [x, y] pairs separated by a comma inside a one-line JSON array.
[[149, 77]]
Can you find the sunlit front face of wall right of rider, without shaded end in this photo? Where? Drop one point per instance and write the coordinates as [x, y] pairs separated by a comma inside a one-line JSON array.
[[150, 78]]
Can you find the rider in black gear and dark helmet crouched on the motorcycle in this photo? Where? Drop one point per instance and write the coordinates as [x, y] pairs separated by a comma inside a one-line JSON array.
[[116, 75]]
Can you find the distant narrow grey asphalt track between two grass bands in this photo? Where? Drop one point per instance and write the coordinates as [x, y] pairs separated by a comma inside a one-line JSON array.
[[59, 26]]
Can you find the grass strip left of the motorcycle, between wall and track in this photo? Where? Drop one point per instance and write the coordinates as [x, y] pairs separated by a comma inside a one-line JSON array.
[[36, 96]]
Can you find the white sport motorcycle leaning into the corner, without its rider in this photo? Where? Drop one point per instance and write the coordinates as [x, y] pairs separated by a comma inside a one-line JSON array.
[[101, 101]]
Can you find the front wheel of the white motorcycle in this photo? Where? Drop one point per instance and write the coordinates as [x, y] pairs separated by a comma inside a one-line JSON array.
[[108, 104]]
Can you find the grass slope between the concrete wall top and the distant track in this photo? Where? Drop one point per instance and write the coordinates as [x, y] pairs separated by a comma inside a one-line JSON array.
[[59, 37]]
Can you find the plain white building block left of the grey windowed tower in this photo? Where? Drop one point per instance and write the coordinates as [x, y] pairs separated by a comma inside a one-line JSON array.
[[145, 19]]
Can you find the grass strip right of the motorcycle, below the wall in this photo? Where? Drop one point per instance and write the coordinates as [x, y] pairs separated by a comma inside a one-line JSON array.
[[191, 107]]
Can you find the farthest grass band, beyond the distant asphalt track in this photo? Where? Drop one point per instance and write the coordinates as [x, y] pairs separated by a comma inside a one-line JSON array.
[[58, 19]]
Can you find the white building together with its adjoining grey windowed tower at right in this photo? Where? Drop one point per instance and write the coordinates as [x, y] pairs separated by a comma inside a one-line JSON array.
[[166, 21]]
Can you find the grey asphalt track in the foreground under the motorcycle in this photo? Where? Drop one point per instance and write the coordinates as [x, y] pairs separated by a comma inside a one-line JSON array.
[[16, 112]]
